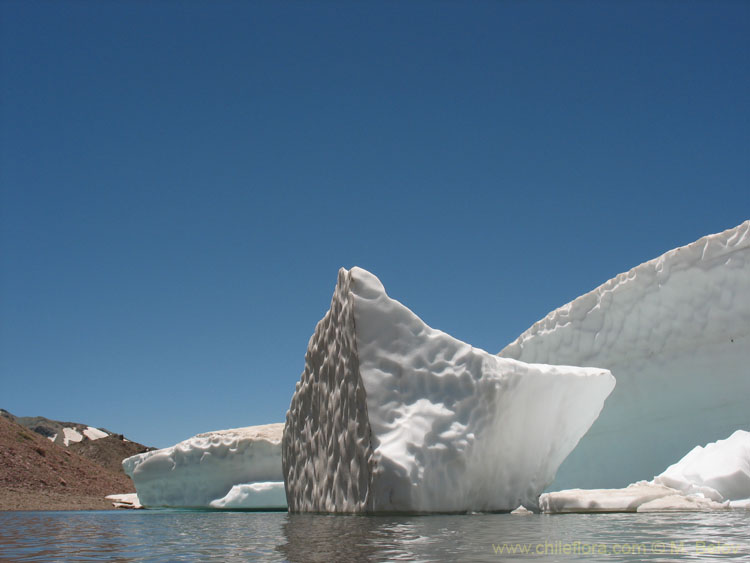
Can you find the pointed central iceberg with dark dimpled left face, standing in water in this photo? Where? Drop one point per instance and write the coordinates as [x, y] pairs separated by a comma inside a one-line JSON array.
[[391, 415]]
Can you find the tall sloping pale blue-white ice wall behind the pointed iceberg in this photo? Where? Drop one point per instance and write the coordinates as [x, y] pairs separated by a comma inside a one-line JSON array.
[[675, 332]]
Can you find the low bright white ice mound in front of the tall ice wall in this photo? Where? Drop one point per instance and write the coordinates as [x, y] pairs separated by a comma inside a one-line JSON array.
[[707, 478]]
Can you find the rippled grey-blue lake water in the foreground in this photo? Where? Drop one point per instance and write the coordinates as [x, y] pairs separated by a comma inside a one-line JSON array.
[[245, 536]]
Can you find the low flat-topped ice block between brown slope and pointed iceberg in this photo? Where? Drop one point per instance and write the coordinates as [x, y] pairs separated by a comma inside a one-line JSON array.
[[205, 468]]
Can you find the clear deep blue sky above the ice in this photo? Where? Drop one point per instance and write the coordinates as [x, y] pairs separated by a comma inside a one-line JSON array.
[[182, 180]]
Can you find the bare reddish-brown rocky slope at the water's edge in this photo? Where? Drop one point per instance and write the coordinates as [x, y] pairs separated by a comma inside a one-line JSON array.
[[37, 474]]
